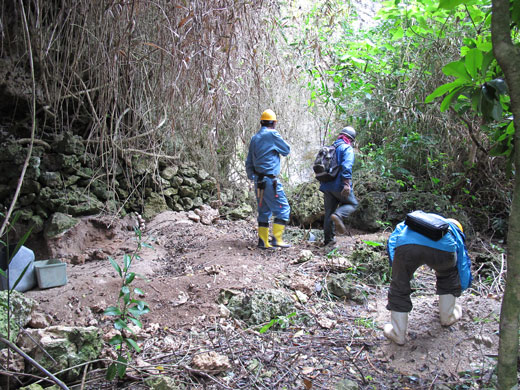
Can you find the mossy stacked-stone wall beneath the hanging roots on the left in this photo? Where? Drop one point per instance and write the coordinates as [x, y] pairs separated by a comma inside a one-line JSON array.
[[64, 178]]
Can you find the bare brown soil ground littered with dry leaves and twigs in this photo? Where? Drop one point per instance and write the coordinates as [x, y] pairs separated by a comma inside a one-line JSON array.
[[189, 265]]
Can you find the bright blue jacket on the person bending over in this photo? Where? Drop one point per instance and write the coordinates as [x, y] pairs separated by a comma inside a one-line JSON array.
[[453, 241]]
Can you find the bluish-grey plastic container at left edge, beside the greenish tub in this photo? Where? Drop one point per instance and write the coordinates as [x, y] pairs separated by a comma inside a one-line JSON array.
[[23, 258]]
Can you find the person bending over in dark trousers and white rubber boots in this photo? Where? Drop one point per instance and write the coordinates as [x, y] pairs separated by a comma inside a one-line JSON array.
[[408, 250]]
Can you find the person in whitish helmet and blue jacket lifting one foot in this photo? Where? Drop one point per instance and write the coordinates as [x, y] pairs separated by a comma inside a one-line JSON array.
[[339, 198]]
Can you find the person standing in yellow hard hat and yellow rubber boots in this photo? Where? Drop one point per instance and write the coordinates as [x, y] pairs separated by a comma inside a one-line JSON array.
[[263, 166]]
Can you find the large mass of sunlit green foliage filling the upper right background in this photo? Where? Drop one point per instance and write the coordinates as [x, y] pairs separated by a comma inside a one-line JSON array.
[[400, 82]]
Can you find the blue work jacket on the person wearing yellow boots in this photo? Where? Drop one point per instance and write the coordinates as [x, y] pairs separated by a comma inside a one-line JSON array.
[[265, 149]]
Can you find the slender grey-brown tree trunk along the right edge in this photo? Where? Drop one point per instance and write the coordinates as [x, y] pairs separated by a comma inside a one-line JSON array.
[[508, 57]]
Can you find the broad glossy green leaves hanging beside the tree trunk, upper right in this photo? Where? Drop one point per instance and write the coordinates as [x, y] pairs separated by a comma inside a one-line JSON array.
[[479, 86]]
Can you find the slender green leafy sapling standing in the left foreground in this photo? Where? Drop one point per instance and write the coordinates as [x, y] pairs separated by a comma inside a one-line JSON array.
[[127, 311]]
